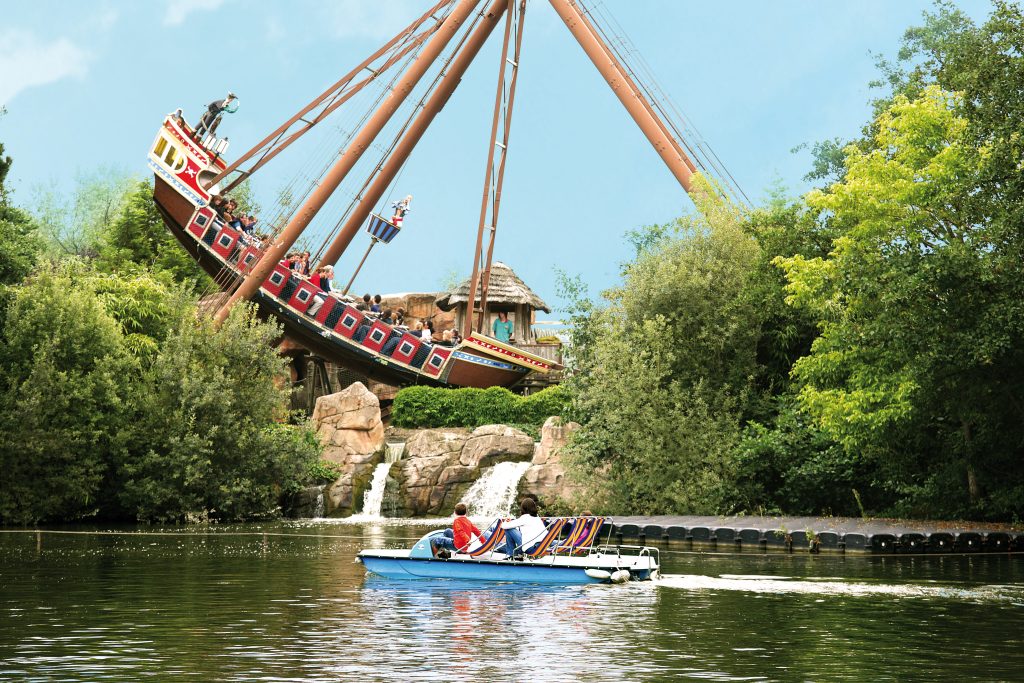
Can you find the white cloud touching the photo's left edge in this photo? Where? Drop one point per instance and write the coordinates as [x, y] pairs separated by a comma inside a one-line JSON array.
[[27, 62]]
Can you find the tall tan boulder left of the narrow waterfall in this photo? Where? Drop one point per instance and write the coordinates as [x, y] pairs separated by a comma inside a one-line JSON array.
[[350, 426]]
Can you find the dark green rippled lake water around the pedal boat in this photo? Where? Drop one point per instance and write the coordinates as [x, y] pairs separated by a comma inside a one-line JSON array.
[[286, 603]]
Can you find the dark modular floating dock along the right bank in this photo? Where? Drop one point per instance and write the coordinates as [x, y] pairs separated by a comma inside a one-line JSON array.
[[835, 535]]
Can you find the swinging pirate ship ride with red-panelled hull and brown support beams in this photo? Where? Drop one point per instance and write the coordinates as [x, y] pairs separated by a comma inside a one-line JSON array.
[[190, 170]]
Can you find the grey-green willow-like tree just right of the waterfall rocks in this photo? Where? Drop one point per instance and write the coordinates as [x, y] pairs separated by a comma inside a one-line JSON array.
[[666, 369]]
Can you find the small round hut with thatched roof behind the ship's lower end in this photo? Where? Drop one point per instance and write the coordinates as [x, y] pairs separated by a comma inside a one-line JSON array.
[[506, 292]]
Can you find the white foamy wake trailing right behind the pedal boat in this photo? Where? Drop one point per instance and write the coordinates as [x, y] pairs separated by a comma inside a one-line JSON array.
[[836, 587]]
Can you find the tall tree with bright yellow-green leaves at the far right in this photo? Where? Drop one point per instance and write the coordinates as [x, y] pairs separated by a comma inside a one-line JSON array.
[[919, 364]]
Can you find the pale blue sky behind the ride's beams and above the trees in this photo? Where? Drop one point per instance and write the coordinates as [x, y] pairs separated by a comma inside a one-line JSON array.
[[87, 86]]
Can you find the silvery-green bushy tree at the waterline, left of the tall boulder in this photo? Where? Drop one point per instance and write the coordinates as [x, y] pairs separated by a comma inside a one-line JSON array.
[[205, 439]]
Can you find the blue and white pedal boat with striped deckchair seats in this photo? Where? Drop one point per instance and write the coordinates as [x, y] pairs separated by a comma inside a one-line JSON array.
[[558, 564]]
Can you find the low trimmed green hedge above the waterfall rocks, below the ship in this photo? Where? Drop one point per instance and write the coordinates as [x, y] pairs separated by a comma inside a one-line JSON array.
[[431, 407]]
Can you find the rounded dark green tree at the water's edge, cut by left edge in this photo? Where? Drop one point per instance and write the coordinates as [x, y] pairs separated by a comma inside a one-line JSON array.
[[63, 371]]
